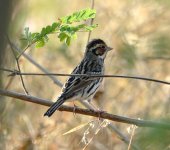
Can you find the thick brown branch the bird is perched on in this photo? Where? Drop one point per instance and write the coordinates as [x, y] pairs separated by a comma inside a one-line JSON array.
[[104, 115]]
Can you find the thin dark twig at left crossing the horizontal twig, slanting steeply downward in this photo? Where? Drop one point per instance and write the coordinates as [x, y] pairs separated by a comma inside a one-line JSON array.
[[17, 61]]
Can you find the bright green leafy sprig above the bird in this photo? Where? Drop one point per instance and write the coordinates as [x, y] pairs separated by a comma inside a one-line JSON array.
[[66, 28]]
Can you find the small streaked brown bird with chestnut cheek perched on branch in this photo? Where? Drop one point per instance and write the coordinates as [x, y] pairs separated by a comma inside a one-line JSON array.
[[84, 87]]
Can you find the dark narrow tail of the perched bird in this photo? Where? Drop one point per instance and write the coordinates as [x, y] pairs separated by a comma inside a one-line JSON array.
[[54, 107]]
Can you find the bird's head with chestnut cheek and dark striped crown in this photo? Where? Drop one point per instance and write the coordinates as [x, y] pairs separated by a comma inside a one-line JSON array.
[[97, 48]]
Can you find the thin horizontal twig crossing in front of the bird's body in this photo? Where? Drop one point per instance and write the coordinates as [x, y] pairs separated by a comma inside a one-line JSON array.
[[85, 75]]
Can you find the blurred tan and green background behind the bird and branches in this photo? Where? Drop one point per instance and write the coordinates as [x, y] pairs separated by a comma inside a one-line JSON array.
[[138, 30]]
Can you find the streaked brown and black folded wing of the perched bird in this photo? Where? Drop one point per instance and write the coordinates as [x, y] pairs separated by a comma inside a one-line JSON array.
[[77, 83]]
